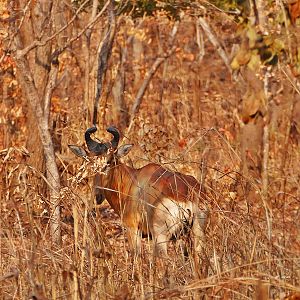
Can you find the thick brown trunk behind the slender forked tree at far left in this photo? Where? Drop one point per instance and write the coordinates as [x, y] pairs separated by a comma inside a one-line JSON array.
[[37, 26]]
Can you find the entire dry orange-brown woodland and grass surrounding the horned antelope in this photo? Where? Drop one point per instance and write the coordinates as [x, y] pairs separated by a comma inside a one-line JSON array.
[[208, 88]]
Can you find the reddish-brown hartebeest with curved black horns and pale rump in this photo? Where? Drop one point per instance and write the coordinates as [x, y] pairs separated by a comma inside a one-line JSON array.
[[150, 200]]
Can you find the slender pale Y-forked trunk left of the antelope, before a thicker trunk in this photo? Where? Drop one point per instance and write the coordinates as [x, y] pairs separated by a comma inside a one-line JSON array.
[[31, 92]]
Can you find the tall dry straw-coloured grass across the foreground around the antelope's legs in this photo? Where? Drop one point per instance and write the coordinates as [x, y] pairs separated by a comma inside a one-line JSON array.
[[239, 262]]
